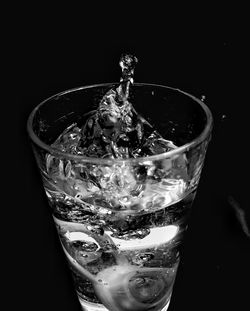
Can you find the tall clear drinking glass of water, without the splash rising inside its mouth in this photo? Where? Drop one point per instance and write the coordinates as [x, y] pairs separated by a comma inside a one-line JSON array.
[[121, 221]]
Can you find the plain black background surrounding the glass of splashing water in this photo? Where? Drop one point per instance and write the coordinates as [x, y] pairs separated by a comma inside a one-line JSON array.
[[202, 53]]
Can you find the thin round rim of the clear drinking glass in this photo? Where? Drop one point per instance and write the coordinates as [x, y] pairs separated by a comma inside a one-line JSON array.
[[201, 137]]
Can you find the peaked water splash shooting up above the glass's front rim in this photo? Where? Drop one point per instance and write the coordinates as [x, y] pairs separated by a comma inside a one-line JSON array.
[[115, 129]]
